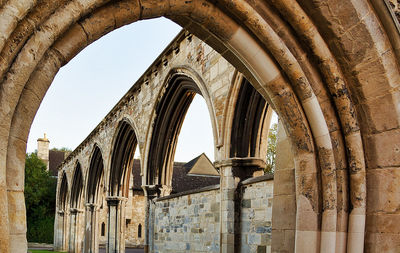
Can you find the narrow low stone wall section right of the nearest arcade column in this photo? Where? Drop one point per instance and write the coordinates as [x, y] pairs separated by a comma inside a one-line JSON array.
[[256, 214]]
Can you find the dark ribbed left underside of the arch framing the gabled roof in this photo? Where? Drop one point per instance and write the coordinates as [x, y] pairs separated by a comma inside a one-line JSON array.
[[170, 113]]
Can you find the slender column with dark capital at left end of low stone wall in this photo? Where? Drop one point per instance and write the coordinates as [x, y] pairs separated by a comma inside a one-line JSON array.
[[151, 192]]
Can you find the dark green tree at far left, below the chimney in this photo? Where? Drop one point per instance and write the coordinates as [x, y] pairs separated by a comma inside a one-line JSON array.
[[40, 196]]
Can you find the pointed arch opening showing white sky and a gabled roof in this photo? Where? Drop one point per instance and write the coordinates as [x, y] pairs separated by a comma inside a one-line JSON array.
[[193, 166]]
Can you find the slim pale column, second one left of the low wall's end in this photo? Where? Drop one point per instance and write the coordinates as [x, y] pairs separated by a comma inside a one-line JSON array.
[[90, 240]]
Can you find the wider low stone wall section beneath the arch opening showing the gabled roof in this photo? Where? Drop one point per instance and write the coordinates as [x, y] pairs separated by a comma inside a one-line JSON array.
[[188, 223]]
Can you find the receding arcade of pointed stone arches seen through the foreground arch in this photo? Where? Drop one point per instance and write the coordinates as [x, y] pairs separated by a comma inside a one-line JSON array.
[[105, 159]]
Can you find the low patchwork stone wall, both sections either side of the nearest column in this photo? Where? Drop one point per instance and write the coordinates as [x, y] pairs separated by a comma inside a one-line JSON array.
[[190, 222]]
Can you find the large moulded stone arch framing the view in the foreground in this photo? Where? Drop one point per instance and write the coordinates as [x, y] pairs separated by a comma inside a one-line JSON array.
[[330, 71]]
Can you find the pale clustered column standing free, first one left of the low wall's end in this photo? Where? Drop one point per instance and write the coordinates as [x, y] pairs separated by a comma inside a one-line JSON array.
[[116, 222]]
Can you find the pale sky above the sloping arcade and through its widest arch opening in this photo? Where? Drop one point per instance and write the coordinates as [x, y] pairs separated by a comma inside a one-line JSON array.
[[88, 87]]
